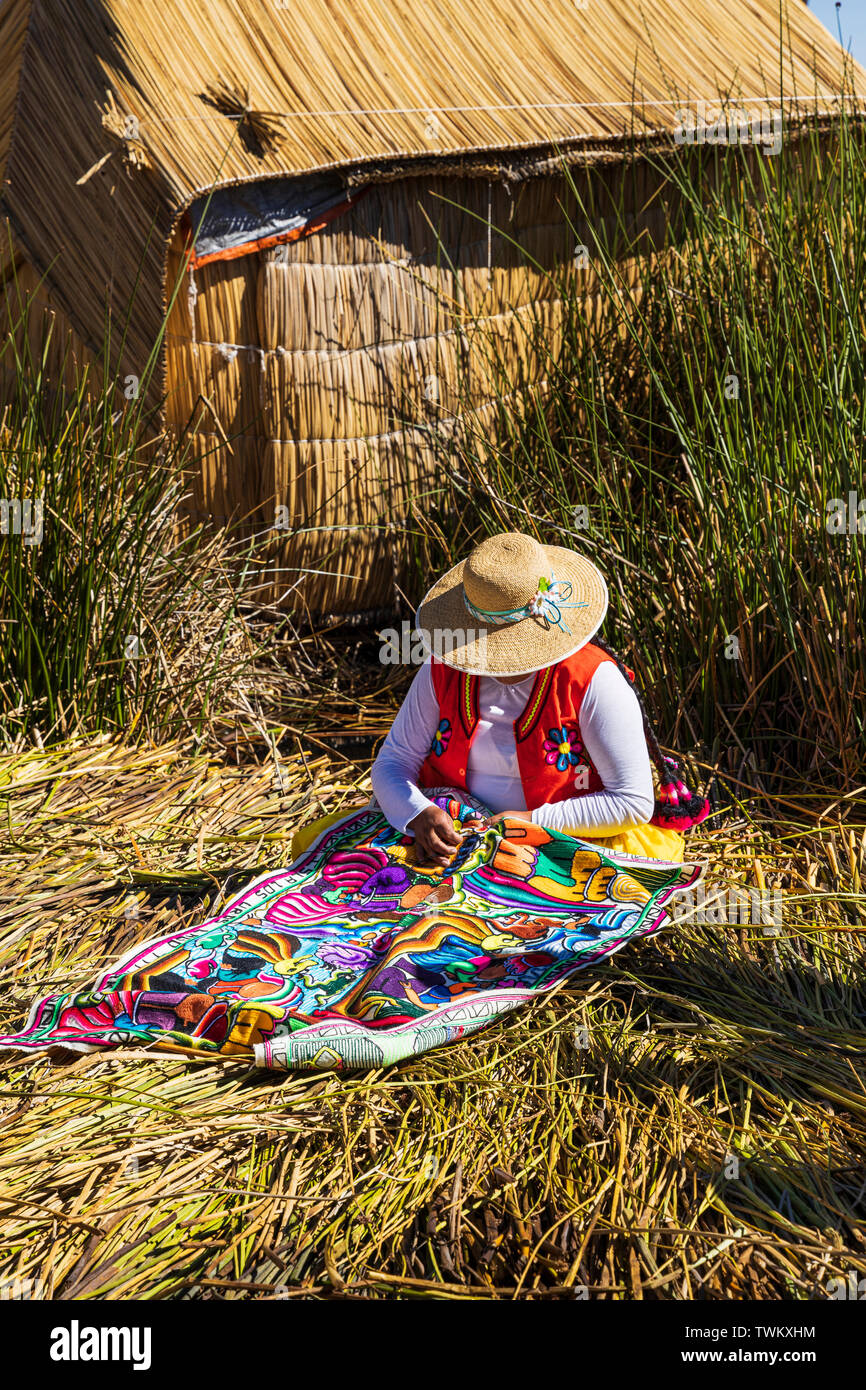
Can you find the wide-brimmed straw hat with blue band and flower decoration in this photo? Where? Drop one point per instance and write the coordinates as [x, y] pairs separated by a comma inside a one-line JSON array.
[[514, 607]]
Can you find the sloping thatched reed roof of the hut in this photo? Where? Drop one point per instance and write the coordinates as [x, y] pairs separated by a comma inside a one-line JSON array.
[[215, 92]]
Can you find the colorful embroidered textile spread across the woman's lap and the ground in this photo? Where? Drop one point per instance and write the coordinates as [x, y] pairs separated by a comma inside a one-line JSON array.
[[355, 957]]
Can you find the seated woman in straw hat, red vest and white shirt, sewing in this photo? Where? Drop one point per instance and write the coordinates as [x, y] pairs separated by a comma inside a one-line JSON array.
[[529, 717]]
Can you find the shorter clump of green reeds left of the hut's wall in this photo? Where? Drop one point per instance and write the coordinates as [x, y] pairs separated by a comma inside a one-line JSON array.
[[111, 616]]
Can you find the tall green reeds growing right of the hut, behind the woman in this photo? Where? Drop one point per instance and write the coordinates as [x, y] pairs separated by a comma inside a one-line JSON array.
[[705, 404]]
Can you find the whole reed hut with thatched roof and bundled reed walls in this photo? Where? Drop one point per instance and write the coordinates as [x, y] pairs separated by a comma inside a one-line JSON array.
[[334, 190]]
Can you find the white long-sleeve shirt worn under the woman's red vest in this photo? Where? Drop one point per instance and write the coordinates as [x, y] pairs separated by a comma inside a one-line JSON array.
[[611, 728]]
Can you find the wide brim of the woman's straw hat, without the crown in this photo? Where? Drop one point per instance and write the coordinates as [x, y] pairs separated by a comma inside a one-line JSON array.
[[455, 637]]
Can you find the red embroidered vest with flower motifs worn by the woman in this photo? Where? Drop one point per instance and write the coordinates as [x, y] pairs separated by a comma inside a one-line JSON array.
[[551, 757]]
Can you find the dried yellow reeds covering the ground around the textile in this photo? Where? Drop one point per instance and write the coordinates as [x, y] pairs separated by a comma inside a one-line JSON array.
[[518, 1166]]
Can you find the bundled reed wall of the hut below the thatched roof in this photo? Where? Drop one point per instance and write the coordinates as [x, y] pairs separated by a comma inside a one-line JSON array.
[[313, 376]]
